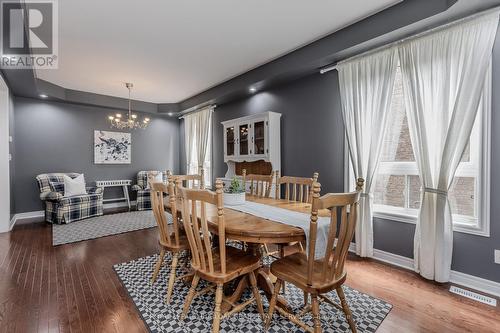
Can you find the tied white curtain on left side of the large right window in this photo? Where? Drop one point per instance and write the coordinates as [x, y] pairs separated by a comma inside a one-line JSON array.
[[366, 89]]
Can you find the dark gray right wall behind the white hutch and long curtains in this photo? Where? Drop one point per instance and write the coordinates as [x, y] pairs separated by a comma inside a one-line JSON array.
[[312, 137]]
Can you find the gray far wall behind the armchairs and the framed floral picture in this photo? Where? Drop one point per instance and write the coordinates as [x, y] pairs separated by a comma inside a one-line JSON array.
[[58, 137]]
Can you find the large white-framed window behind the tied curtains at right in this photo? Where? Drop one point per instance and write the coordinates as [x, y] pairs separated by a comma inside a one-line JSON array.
[[397, 188]]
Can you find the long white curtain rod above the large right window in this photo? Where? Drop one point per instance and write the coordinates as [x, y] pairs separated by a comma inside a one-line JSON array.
[[412, 37]]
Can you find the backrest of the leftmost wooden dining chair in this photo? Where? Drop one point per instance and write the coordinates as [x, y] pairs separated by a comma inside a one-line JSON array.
[[169, 234]]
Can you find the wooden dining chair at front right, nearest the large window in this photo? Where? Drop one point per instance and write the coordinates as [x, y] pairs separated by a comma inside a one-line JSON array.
[[320, 276]]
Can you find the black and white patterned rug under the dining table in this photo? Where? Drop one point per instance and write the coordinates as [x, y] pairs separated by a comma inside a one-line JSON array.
[[159, 317]]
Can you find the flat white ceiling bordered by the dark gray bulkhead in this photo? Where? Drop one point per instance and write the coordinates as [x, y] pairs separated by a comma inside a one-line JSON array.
[[172, 50]]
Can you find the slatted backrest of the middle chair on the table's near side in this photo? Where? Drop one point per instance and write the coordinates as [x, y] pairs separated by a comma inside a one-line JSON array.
[[194, 212]]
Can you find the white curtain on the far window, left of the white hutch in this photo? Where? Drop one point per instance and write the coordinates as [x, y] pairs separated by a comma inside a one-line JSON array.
[[197, 132]]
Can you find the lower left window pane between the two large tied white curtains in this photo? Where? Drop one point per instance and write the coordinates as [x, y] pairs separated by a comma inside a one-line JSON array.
[[390, 190]]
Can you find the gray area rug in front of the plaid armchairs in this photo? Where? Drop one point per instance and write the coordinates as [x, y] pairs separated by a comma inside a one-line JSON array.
[[101, 226]]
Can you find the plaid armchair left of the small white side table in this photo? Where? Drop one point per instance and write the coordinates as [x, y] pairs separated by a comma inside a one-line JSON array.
[[59, 209]]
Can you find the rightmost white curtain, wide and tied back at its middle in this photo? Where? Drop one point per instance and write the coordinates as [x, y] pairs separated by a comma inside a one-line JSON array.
[[443, 79]]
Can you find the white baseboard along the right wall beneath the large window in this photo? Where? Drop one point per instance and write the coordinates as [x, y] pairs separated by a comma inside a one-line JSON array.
[[459, 278]]
